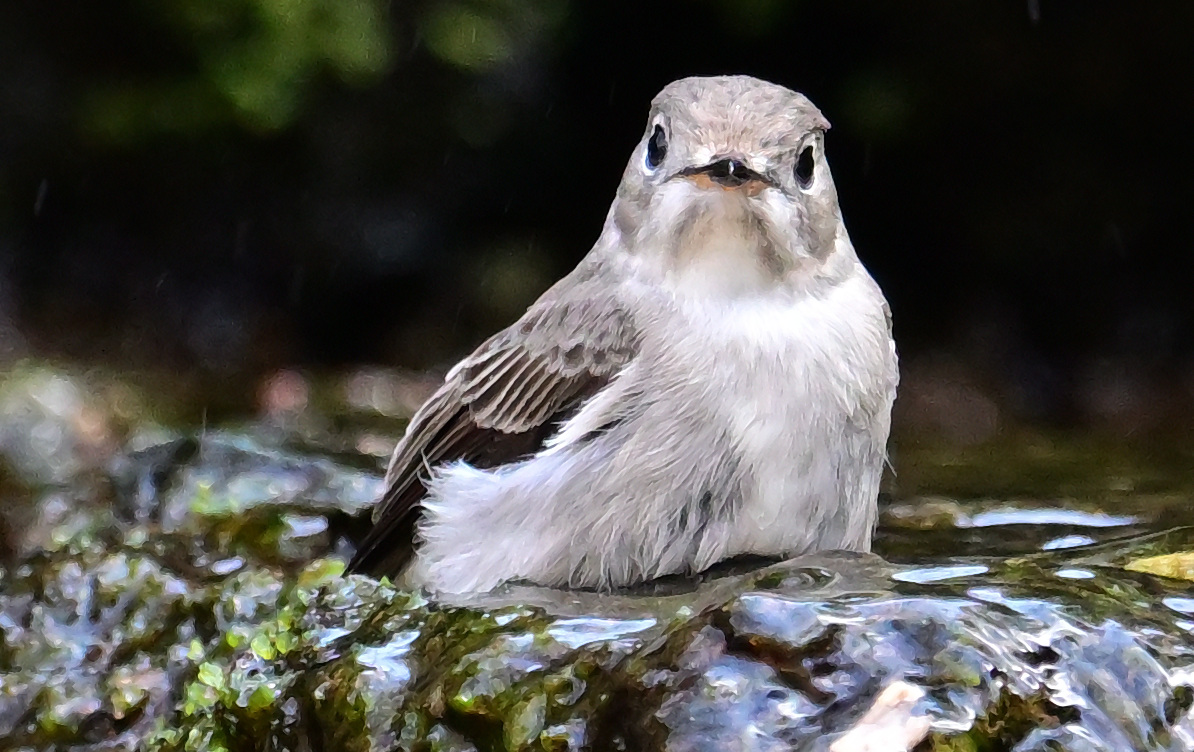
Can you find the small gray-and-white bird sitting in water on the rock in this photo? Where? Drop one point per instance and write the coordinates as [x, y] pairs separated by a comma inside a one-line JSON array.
[[715, 379]]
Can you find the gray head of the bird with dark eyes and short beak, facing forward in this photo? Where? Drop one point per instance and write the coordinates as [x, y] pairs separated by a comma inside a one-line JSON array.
[[729, 190]]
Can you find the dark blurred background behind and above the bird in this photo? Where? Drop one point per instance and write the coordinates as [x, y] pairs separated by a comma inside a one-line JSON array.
[[226, 188]]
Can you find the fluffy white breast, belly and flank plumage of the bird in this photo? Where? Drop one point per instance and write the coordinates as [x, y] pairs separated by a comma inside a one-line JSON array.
[[759, 400]]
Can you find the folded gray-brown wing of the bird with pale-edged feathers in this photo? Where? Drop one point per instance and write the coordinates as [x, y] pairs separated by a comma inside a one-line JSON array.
[[502, 403]]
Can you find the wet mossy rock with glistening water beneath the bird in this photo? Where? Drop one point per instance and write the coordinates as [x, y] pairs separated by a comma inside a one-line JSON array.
[[183, 591]]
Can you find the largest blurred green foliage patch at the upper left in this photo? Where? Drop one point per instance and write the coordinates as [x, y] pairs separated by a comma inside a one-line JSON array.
[[249, 63]]
